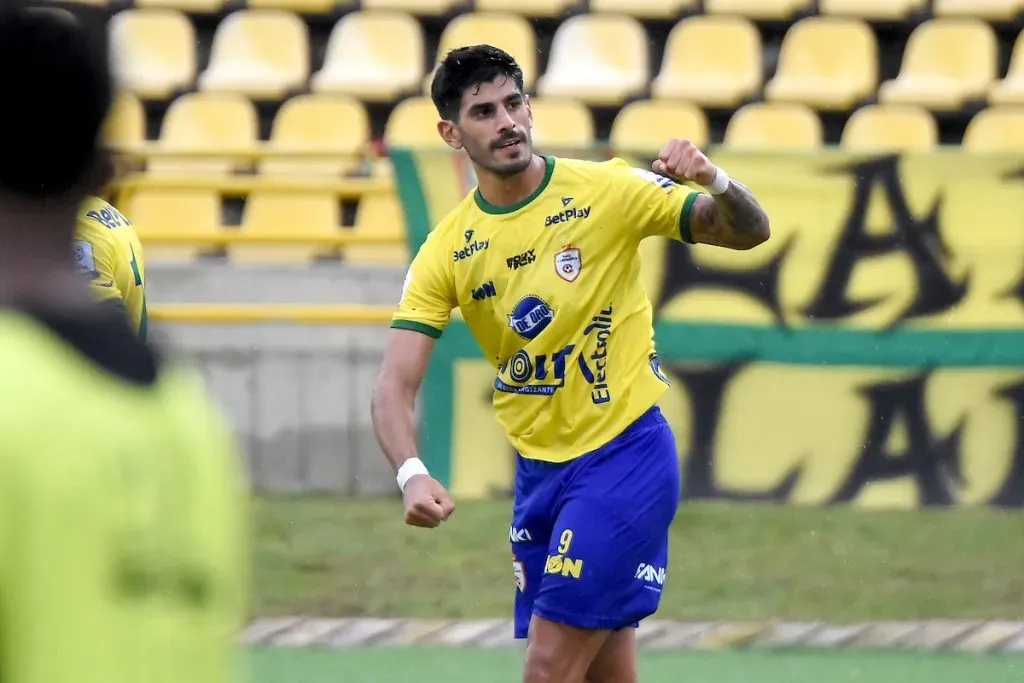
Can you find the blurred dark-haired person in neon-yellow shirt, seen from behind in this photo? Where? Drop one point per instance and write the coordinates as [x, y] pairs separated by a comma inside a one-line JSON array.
[[123, 541]]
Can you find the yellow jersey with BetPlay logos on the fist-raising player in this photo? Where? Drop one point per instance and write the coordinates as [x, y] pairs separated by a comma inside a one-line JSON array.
[[551, 290]]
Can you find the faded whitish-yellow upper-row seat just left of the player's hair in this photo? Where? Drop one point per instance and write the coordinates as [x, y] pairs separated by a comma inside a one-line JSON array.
[[374, 56]]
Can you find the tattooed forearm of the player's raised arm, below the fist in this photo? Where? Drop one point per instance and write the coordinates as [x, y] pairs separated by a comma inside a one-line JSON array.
[[733, 220]]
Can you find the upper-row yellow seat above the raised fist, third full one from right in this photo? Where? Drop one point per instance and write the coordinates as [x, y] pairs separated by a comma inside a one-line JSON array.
[[711, 61]]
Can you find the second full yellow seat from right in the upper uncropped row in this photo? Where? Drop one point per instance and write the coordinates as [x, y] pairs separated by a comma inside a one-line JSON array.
[[827, 63]]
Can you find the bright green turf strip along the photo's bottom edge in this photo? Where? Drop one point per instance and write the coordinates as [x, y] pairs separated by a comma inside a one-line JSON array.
[[455, 666]]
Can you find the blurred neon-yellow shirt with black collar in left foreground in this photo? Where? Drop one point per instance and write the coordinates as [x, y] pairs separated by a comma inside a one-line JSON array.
[[123, 514]]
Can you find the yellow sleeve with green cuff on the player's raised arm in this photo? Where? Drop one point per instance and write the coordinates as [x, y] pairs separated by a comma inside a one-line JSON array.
[[655, 205]]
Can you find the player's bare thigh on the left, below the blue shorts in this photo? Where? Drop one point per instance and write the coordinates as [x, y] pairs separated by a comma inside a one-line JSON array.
[[561, 654]]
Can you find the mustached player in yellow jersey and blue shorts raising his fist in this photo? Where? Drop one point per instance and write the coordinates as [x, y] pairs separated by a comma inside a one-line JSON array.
[[543, 261]]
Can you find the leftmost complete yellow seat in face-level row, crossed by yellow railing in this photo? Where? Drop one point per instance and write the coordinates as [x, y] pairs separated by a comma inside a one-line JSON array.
[[207, 121]]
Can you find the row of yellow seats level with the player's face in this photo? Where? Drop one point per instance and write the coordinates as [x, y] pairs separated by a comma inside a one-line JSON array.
[[339, 126]]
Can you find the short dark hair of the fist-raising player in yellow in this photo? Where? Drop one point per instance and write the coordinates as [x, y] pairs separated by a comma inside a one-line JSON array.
[[467, 68]]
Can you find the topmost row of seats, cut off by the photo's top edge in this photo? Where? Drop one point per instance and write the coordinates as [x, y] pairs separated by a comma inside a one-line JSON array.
[[759, 10]]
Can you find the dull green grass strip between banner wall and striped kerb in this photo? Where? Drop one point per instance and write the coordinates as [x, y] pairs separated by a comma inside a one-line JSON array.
[[333, 558]]
